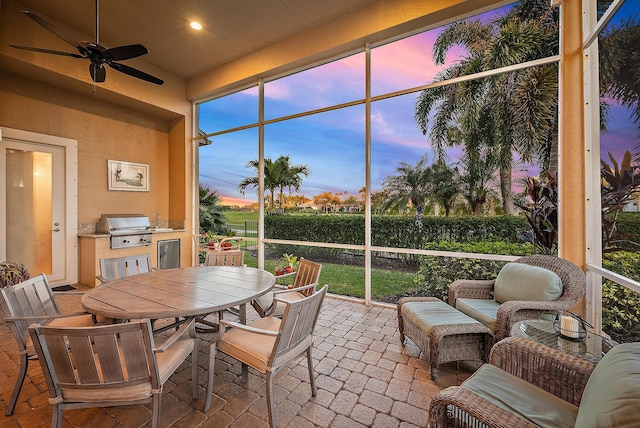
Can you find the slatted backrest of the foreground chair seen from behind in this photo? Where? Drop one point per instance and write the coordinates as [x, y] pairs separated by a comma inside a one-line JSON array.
[[99, 364]]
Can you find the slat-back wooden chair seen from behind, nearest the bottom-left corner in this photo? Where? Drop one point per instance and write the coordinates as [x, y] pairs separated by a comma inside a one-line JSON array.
[[110, 365]]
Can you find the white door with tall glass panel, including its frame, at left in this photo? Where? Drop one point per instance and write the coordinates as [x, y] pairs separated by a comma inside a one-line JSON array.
[[34, 205]]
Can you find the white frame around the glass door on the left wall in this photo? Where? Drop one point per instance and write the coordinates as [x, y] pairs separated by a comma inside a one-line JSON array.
[[70, 148]]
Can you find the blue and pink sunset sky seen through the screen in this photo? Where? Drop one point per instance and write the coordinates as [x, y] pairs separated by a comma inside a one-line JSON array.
[[332, 144]]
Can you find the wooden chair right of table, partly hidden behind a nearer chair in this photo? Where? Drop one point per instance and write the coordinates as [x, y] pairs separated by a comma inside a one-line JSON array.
[[305, 281]]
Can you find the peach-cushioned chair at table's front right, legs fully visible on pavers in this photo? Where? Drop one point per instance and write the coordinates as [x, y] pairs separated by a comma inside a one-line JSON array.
[[268, 344]]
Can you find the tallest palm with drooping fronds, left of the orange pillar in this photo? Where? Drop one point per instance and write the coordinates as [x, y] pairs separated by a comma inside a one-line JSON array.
[[501, 114]]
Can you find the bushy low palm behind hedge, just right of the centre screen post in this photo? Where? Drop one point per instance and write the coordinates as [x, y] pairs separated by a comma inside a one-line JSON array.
[[409, 187]]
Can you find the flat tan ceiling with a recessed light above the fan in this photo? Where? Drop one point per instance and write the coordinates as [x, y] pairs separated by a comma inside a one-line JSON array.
[[232, 28]]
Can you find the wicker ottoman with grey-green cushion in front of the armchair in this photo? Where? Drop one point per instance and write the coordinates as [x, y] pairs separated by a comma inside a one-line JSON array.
[[442, 332]]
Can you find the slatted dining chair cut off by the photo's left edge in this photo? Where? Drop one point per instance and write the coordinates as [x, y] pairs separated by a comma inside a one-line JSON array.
[[23, 304]]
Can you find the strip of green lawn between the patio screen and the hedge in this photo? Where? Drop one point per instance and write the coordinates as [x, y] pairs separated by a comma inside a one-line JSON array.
[[349, 280]]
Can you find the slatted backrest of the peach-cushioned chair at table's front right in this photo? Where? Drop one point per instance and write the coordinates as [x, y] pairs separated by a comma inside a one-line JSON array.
[[297, 326]]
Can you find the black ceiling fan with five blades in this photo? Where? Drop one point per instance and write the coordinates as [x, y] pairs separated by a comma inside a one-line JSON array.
[[96, 53]]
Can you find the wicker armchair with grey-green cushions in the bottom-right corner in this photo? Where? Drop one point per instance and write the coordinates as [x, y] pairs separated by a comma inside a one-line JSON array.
[[528, 384]]
